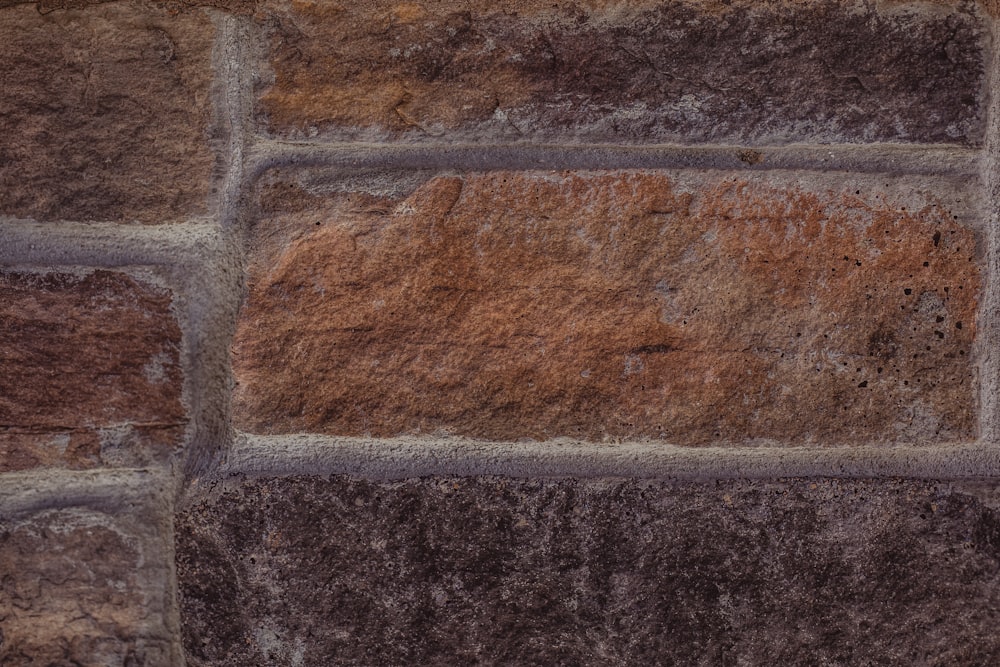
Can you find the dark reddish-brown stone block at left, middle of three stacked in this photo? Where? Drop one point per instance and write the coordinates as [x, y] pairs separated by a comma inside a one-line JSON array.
[[89, 371]]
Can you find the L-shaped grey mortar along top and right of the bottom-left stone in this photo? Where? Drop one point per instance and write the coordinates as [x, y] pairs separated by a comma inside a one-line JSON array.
[[139, 501]]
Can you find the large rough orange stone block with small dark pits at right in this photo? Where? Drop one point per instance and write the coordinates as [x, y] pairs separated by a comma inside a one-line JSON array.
[[696, 308]]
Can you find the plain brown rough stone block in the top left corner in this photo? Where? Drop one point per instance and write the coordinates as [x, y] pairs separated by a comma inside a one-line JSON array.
[[105, 113]]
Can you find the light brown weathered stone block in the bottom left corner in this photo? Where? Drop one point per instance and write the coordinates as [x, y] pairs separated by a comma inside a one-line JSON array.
[[80, 587]]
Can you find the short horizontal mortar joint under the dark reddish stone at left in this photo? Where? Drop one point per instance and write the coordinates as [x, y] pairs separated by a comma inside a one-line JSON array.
[[107, 489]]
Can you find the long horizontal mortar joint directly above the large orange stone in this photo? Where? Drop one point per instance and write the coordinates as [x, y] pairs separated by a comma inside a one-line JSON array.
[[867, 158]]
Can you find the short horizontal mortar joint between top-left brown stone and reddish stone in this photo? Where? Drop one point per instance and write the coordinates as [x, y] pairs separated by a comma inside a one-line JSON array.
[[107, 244]]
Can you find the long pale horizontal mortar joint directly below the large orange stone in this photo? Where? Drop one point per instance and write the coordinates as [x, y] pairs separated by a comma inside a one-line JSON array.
[[398, 458]]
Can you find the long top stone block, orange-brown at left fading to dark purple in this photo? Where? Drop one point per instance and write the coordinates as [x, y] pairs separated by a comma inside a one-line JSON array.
[[685, 71]]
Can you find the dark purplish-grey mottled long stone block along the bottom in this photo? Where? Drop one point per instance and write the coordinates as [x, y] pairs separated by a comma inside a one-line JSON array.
[[504, 572]]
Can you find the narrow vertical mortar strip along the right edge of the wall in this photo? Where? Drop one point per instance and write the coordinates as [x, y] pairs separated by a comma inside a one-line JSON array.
[[988, 337]]
